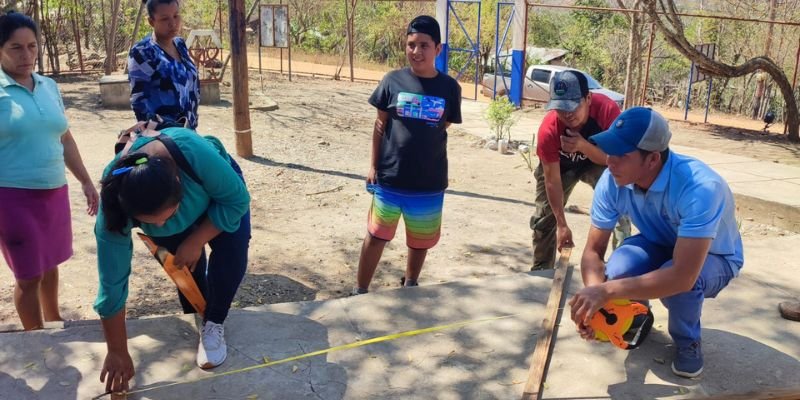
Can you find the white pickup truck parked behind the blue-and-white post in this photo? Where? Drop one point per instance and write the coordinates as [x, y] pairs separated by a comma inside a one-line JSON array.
[[537, 84]]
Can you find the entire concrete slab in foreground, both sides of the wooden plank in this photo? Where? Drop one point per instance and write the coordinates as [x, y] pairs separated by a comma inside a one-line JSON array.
[[746, 344]]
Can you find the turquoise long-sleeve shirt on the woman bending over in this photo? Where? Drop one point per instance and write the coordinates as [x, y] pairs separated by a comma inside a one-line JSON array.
[[223, 197]]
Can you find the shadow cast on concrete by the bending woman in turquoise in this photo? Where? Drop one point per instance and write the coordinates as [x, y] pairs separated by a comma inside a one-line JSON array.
[[251, 337]]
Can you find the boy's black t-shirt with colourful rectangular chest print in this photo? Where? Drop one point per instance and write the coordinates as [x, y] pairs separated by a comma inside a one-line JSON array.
[[414, 147]]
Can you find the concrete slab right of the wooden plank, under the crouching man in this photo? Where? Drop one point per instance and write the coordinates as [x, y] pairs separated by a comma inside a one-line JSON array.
[[746, 345]]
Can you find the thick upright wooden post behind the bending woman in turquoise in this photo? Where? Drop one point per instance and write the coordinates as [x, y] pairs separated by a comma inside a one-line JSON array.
[[241, 97]]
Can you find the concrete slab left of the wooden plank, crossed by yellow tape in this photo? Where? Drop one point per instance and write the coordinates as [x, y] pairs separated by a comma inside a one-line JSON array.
[[480, 360]]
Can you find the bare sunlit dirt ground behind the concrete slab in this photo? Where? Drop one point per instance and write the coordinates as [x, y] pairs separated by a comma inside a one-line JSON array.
[[309, 205]]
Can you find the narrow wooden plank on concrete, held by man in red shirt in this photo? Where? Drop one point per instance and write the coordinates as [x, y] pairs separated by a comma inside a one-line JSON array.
[[544, 340]]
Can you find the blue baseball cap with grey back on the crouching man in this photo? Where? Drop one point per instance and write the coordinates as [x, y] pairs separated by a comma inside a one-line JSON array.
[[636, 128]]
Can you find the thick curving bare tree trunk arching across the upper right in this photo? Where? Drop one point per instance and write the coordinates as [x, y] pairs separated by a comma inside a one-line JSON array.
[[671, 27]]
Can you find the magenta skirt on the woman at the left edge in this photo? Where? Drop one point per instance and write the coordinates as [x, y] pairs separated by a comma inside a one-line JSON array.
[[35, 230]]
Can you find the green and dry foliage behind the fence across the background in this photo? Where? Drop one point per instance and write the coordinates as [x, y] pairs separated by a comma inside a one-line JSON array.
[[597, 41]]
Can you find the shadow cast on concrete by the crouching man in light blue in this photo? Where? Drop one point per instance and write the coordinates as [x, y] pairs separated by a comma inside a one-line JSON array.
[[733, 364]]
